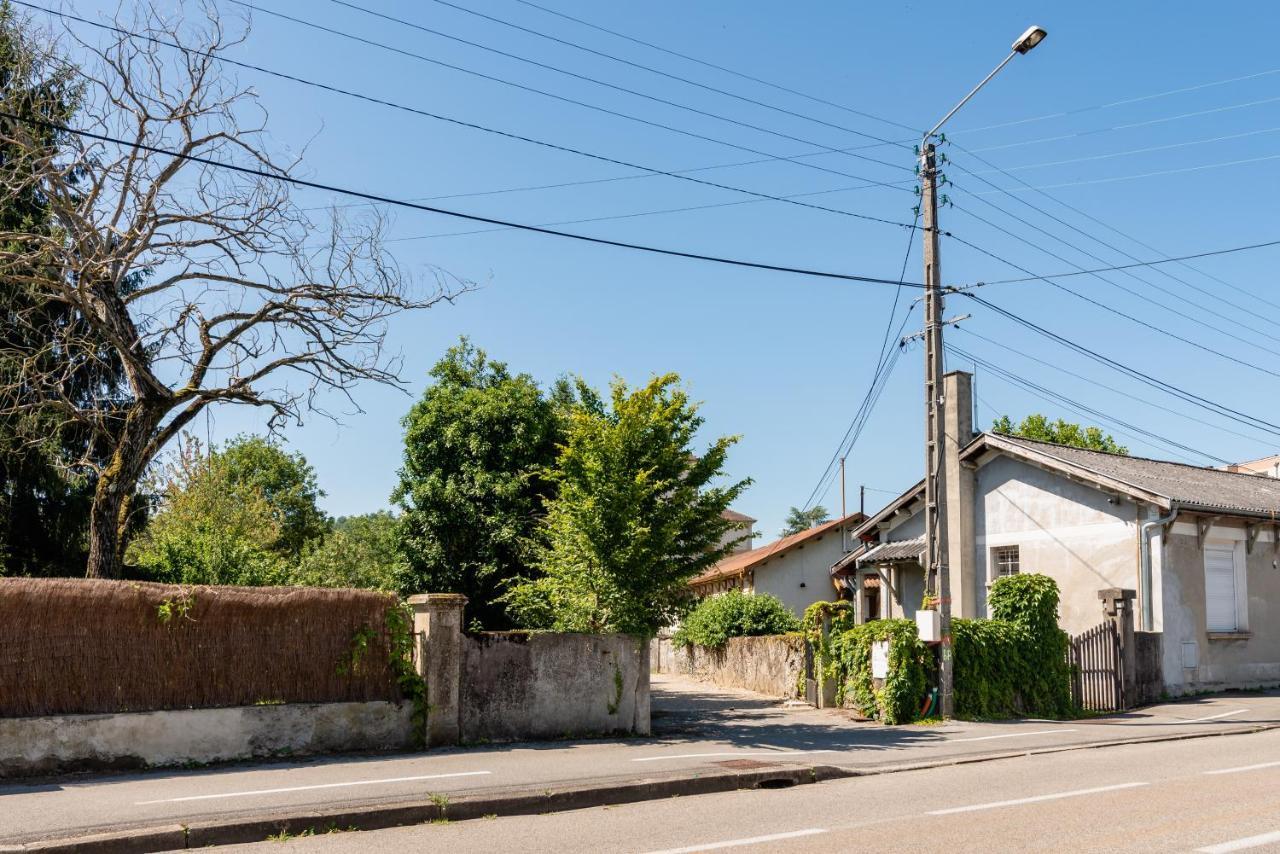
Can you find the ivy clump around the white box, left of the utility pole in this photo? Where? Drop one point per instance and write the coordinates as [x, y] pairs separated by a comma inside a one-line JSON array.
[[911, 669]]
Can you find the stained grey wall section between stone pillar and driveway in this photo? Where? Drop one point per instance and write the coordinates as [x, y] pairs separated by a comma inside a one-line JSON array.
[[533, 686]]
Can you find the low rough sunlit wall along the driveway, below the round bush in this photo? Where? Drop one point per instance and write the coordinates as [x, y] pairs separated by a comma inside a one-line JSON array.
[[771, 665]]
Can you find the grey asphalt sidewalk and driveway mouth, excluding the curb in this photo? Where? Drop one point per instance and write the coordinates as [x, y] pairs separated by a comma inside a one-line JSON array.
[[698, 729]]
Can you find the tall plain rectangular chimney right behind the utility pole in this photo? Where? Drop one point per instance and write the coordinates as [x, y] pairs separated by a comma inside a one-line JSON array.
[[959, 485]]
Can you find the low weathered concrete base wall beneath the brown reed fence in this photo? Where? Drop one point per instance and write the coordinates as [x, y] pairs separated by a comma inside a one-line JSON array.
[[33, 746]]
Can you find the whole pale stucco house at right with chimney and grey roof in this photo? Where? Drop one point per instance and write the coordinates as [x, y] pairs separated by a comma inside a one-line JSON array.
[[1200, 546]]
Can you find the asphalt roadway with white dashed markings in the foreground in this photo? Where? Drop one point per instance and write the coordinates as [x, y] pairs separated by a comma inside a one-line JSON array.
[[1212, 796]]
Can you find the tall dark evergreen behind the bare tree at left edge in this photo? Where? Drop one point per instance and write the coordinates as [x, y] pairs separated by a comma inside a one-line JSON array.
[[48, 467]]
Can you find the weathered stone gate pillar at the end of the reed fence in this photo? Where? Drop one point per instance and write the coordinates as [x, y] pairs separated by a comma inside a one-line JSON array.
[[438, 623]]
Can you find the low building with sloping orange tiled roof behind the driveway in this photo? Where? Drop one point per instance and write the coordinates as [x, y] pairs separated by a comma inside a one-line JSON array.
[[796, 569]]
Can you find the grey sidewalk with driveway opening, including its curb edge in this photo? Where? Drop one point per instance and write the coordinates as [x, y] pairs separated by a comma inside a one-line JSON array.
[[706, 739]]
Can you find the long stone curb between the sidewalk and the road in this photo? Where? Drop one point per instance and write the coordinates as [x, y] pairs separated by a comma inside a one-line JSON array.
[[257, 829]]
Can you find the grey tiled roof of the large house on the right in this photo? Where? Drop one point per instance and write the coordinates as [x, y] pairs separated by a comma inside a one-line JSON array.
[[1191, 487]]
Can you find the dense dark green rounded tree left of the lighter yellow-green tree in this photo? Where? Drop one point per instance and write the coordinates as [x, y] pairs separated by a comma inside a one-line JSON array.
[[472, 488]]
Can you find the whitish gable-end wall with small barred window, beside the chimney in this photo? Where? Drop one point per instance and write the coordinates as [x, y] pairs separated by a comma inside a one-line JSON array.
[[1066, 531]]
